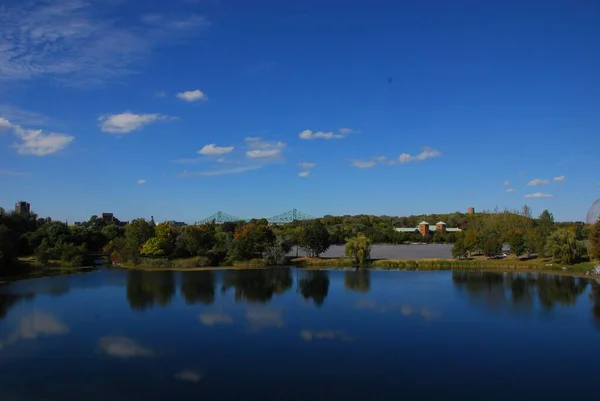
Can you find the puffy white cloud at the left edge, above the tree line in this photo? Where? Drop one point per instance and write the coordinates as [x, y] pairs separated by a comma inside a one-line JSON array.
[[34, 142]]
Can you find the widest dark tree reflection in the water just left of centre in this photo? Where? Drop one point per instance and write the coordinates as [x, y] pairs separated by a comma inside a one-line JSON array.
[[257, 285]]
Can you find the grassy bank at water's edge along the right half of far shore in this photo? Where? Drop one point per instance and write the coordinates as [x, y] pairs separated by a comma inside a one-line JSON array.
[[447, 264]]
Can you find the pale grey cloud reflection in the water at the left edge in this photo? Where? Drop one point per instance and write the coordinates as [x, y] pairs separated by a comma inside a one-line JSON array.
[[33, 326]]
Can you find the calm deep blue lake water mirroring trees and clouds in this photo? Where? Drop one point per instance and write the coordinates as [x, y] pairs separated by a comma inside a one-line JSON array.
[[286, 334]]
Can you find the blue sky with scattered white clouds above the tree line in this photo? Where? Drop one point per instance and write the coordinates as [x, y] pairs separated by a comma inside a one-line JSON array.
[[178, 109]]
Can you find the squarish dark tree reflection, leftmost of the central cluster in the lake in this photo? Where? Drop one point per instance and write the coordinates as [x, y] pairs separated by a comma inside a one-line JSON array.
[[144, 289]]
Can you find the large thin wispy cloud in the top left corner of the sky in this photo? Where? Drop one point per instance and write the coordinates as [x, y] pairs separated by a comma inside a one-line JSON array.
[[81, 42]]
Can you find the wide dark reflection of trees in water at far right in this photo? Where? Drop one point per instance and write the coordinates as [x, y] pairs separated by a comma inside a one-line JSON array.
[[520, 290]]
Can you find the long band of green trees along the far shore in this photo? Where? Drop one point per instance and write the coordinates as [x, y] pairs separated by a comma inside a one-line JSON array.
[[209, 244]]
